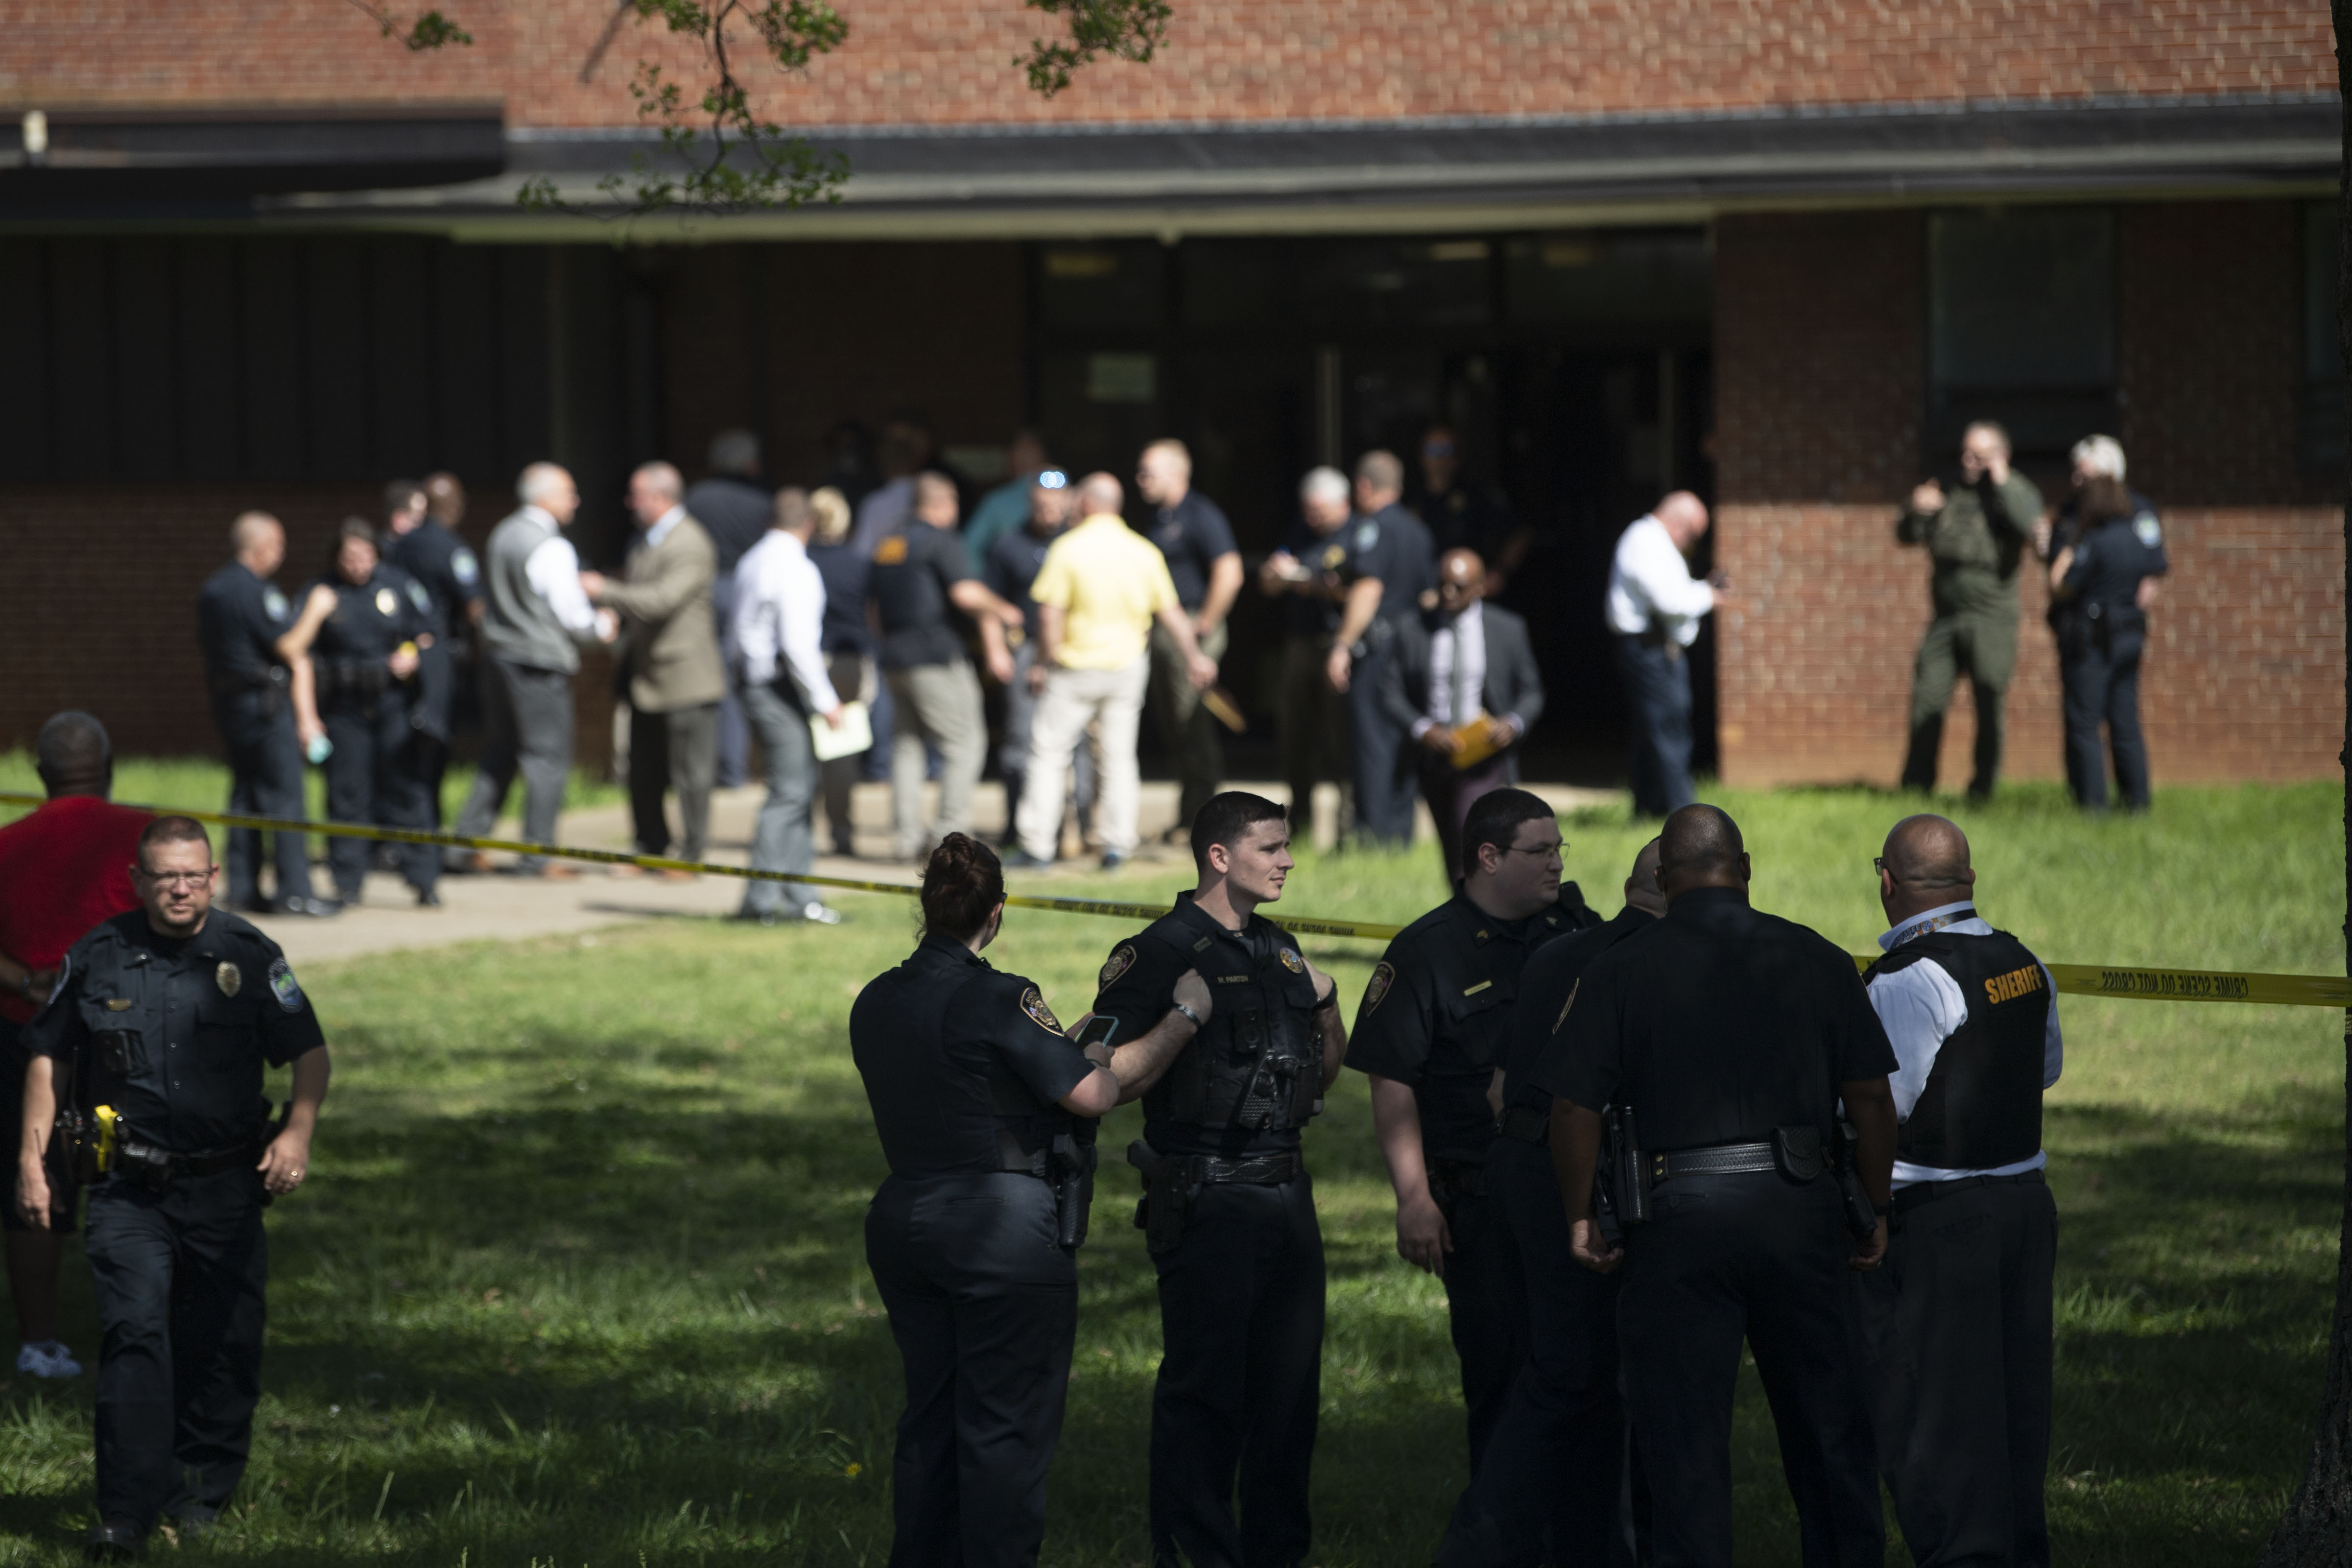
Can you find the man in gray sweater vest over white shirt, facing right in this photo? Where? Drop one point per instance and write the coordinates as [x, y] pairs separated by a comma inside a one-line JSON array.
[[533, 629]]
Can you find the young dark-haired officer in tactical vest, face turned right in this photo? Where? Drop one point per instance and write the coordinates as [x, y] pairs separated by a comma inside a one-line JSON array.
[[1229, 1212]]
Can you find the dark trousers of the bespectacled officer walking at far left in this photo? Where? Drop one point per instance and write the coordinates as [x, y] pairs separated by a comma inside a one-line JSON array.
[[180, 1282]]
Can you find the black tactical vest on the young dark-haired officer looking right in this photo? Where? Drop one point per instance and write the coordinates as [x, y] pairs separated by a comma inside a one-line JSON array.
[[1259, 1061]]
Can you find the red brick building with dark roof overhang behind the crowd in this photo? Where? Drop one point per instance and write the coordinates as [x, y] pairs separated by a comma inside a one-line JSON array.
[[1777, 253]]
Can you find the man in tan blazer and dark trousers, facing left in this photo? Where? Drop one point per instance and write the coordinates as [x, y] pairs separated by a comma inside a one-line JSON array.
[[669, 659]]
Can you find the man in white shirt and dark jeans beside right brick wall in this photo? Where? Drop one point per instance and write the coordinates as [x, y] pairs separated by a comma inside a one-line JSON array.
[[1655, 610]]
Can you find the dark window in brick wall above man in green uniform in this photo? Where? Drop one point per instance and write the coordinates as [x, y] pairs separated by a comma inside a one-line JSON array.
[[2022, 326]]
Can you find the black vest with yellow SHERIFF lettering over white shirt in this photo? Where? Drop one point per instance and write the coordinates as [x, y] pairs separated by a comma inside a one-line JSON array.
[[1982, 1106]]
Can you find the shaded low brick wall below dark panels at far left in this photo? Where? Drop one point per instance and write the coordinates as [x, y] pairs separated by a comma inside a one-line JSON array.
[[102, 603]]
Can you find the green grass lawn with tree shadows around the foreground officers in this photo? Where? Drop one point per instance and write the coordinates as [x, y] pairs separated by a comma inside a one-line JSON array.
[[580, 1275]]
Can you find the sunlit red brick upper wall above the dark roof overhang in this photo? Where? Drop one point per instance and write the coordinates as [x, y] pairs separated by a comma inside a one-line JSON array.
[[1227, 60]]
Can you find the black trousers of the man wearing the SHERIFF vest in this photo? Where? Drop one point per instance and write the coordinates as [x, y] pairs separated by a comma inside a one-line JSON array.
[[1958, 1329]]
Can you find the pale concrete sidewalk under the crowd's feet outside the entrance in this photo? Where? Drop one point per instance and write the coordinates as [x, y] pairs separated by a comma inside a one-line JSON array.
[[507, 909]]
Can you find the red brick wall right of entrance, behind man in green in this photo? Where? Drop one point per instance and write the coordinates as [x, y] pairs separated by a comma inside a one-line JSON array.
[[1822, 370]]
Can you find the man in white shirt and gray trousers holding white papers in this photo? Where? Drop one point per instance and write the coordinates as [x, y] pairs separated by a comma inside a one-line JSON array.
[[780, 610]]
